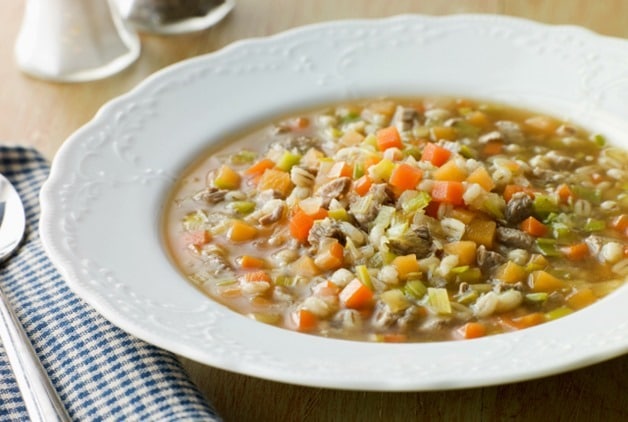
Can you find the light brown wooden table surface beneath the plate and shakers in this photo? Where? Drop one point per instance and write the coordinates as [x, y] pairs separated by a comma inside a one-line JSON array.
[[43, 114]]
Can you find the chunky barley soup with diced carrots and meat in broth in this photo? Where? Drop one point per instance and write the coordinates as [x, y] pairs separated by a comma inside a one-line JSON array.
[[405, 220]]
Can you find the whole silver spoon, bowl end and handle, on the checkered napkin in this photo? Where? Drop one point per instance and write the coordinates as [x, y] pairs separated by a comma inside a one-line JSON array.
[[41, 400]]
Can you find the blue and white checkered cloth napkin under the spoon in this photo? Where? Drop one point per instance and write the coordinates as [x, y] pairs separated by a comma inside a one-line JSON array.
[[99, 371]]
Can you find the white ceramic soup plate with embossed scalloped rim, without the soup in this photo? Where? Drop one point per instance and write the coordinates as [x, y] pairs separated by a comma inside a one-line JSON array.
[[102, 205]]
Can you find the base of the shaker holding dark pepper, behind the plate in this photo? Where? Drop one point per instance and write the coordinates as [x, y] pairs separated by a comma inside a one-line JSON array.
[[174, 16]]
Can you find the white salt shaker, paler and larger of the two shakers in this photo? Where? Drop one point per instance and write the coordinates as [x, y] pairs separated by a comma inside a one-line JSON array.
[[74, 40]]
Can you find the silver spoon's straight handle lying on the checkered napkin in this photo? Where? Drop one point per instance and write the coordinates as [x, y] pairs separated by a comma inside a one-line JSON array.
[[41, 400]]
